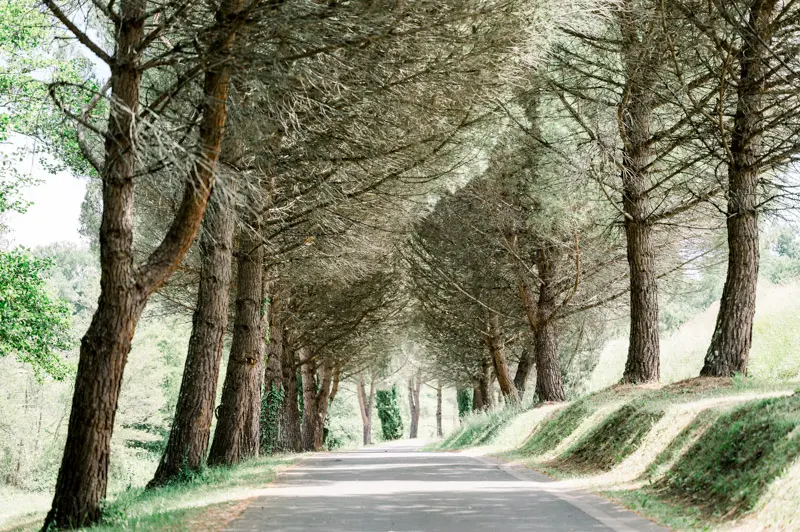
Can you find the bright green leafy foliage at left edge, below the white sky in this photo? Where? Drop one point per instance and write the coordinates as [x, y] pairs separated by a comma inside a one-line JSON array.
[[33, 326]]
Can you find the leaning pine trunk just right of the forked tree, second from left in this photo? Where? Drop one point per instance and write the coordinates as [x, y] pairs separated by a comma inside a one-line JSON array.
[[191, 428]]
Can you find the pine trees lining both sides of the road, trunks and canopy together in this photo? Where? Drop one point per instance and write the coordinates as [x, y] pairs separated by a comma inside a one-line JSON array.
[[587, 153]]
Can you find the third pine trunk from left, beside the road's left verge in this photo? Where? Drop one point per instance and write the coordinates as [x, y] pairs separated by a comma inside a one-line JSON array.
[[237, 435]]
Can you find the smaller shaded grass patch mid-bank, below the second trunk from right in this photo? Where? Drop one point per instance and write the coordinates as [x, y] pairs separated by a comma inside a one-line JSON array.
[[612, 441]]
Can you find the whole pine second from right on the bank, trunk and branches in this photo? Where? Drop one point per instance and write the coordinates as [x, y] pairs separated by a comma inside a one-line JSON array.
[[619, 87]]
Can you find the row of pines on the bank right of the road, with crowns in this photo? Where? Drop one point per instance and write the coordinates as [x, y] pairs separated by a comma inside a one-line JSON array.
[[653, 124]]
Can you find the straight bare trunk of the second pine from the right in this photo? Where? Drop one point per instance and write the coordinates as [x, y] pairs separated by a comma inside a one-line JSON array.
[[636, 116]]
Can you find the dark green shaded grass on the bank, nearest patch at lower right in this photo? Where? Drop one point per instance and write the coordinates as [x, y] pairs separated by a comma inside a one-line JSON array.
[[732, 463]]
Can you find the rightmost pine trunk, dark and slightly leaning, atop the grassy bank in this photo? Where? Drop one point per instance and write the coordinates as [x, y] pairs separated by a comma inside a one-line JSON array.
[[733, 334]]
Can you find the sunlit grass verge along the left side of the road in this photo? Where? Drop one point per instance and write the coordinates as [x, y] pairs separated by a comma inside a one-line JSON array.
[[206, 502]]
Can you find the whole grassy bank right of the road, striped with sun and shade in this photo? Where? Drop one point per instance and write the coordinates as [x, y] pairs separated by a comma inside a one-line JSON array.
[[711, 454]]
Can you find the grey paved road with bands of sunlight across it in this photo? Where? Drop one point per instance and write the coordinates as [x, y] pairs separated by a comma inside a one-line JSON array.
[[397, 488]]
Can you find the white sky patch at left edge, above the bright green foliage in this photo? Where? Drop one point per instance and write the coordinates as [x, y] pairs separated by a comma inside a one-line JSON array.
[[56, 208]]
